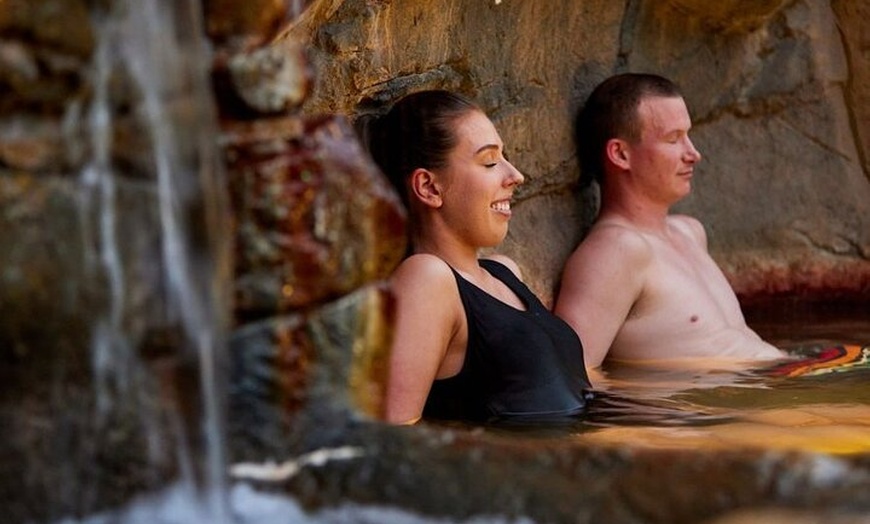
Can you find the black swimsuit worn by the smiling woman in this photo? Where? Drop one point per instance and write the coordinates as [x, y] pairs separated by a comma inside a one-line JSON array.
[[519, 365]]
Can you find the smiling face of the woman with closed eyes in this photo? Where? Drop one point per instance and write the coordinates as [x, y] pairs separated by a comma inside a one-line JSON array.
[[478, 183]]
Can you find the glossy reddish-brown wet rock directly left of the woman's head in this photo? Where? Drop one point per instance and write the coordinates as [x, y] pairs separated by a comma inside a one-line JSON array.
[[314, 218]]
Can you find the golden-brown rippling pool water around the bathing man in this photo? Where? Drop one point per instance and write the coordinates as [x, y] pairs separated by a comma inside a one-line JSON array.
[[674, 406]]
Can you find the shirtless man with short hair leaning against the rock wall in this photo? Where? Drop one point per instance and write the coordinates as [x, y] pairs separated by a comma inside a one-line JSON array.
[[641, 285]]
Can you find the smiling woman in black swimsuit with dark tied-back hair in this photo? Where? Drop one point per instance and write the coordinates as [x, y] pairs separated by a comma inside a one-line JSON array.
[[472, 342]]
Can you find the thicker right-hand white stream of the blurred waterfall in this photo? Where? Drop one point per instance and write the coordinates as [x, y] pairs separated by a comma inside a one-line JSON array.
[[183, 175]]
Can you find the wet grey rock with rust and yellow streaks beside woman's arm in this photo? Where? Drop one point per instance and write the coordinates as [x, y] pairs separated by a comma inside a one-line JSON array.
[[298, 381]]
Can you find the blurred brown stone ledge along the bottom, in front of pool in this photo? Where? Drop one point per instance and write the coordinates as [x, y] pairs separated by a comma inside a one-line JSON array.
[[460, 474]]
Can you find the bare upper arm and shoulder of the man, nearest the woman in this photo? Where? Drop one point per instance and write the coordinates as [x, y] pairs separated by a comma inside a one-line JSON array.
[[602, 280]]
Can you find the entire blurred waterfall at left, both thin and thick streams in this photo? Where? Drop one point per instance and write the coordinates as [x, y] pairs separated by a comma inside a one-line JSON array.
[[158, 47]]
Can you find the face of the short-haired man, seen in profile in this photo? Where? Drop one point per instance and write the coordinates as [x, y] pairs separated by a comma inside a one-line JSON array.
[[663, 159]]
